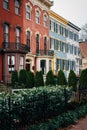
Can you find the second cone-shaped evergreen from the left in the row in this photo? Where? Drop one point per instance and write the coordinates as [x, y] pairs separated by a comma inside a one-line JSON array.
[[22, 77]]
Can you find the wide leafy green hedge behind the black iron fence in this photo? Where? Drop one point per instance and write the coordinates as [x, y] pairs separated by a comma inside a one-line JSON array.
[[37, 104]]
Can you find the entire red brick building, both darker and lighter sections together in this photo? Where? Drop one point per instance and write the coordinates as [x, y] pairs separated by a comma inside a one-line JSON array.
[[24, 29]]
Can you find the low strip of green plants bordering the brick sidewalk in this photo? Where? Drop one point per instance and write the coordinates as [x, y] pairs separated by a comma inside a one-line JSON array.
[[63, 120]]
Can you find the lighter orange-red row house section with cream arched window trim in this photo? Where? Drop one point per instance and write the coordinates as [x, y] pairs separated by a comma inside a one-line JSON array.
[[36, 25]]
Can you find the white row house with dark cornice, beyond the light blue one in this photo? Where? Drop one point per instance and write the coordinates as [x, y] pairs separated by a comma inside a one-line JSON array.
[[73, 49]]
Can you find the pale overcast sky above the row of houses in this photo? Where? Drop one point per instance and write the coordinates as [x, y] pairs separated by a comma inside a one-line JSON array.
[[74, 11]]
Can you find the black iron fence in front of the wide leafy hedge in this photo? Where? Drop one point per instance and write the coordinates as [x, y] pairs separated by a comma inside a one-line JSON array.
[[19, 115]]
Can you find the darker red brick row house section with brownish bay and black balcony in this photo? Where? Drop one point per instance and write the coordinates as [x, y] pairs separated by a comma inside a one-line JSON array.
[[12, 47]]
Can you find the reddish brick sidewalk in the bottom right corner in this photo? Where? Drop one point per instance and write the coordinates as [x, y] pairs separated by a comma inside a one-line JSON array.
[[81, 125]]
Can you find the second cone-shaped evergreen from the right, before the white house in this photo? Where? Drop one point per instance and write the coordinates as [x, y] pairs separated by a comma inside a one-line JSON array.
[[72, 80]]
